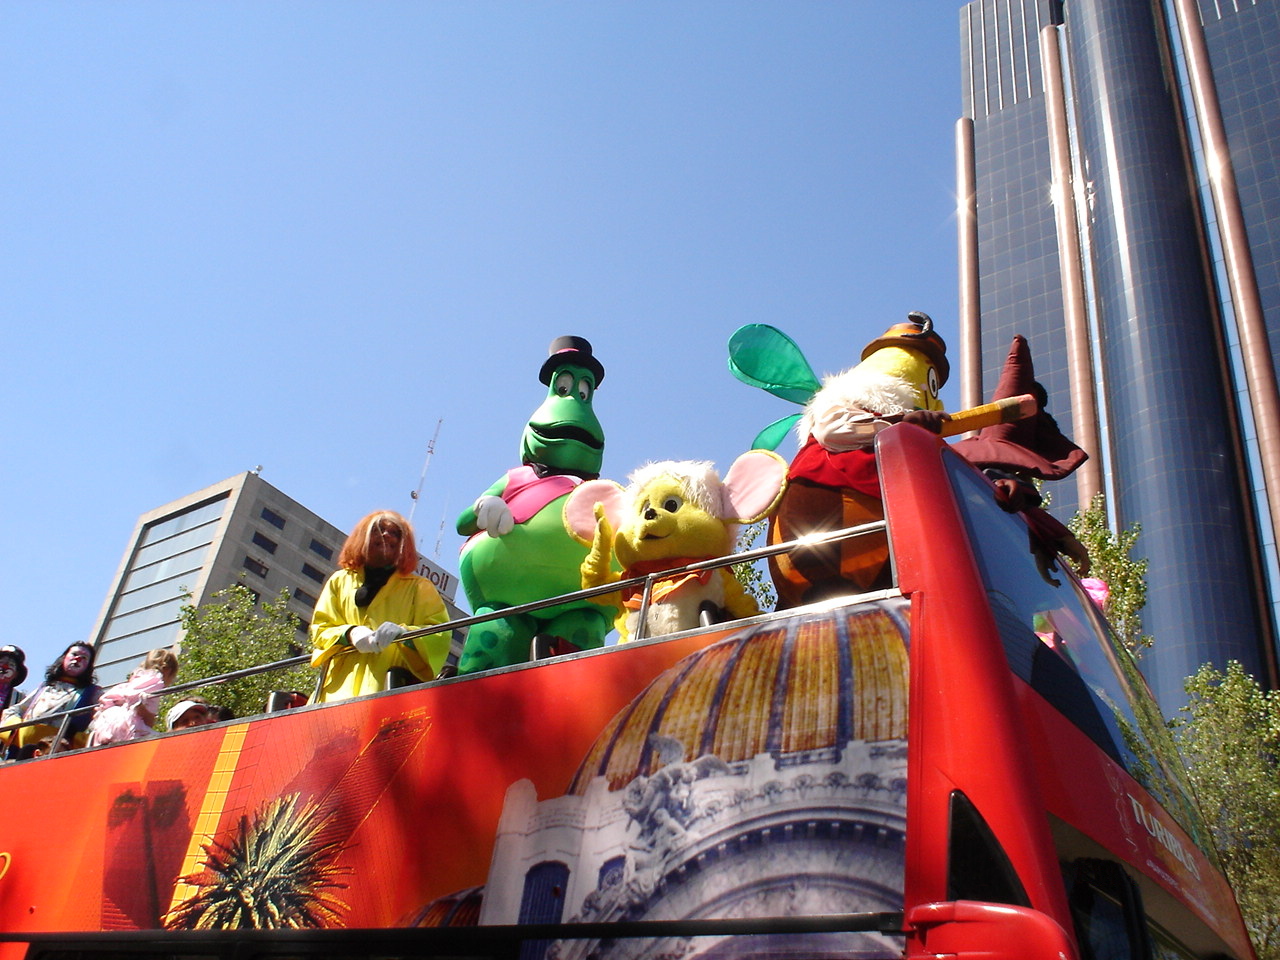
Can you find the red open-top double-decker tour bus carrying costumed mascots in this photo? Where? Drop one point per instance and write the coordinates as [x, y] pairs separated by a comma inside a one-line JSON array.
[[963, 765]]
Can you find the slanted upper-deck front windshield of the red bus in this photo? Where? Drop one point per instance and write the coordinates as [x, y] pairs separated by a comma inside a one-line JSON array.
[[1058, 642]]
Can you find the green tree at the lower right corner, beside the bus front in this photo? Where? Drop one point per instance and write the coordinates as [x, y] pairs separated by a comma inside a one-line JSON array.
[[1231, 740]]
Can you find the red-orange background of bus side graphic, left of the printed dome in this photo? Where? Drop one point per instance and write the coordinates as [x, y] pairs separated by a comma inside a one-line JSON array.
[[410, 784]]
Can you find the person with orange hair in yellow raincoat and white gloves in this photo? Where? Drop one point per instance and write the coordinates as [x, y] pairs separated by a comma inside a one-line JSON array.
[[368, 605]]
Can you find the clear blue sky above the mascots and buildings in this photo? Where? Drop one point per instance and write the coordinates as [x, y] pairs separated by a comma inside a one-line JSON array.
[[298, 235]]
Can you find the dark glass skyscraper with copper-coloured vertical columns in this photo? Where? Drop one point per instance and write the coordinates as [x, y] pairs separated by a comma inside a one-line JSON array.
[[1121, 207]]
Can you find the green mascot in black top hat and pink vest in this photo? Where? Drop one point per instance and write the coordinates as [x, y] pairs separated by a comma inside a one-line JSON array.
[[519, 548]]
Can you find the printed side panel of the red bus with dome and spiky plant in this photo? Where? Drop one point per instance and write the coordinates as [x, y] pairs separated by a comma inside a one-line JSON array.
[[751, 772]]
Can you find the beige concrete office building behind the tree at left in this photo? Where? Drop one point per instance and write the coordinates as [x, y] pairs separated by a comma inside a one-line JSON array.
[[241, 529]]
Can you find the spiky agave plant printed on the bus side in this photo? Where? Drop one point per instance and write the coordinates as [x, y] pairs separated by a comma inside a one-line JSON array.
[[271, 874]]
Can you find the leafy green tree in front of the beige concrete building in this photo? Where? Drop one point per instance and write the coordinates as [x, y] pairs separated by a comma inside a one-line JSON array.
[[234, 632]]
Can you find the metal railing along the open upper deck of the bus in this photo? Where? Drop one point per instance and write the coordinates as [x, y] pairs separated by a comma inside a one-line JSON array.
[[63, 719]]
